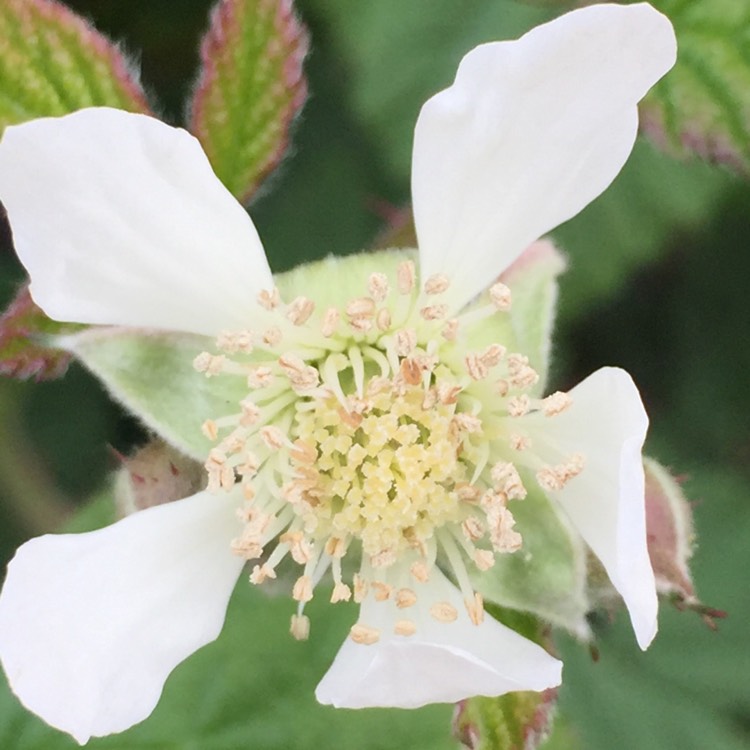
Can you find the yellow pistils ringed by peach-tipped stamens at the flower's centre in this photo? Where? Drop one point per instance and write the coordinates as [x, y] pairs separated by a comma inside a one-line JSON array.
[[371, 434]]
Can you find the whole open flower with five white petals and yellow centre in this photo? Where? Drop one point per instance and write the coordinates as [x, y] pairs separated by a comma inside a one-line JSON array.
[[383, 422]]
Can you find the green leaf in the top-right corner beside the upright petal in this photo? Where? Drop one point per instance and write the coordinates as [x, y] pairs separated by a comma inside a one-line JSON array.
[[701, 107]]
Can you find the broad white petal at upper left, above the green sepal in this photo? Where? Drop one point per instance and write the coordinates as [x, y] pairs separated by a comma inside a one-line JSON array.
[[119, 219]]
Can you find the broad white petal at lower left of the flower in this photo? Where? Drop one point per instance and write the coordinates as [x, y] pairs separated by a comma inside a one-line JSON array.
[[92, 624]]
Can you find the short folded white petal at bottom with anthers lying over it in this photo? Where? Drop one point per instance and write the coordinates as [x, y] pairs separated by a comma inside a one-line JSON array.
[[440, 663]]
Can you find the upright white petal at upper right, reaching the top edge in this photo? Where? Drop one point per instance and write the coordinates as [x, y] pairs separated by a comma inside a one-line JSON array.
[[530, 132]]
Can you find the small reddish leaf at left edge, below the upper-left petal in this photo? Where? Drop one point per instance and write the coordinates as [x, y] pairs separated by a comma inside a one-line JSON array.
[[26, 348]]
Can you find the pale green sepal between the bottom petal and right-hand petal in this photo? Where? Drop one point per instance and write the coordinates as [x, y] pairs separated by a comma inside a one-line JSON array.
[[547, 576]]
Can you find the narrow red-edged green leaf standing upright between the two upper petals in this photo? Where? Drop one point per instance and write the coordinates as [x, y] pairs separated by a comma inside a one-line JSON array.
[[250, 89]]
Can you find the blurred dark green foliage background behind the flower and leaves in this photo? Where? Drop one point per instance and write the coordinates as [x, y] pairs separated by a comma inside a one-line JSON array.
[[658, 283]]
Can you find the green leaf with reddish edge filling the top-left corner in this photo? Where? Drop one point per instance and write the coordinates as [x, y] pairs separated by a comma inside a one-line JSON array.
[[52, 62]]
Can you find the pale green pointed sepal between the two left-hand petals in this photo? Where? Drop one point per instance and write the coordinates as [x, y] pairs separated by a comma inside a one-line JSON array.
[[152, 375]]
